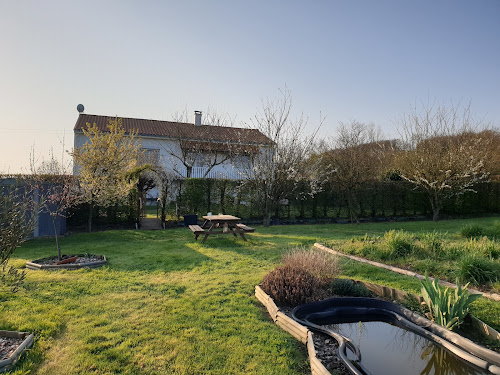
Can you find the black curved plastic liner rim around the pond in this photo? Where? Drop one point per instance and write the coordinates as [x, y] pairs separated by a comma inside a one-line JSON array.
[[350, 310]]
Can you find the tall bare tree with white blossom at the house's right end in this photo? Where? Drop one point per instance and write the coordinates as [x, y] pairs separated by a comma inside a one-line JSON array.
[[274, 173]]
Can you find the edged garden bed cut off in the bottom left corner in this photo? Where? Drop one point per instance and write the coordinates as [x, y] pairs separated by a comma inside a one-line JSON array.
[[12, 345]]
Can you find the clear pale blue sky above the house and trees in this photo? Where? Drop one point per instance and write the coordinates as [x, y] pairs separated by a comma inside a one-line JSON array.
[[364, 60]]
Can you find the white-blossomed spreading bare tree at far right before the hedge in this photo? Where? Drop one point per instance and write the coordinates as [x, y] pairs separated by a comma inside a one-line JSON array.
[[444, 154]]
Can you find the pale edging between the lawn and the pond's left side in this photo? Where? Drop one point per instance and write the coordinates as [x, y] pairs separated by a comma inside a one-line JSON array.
[[297, 330]]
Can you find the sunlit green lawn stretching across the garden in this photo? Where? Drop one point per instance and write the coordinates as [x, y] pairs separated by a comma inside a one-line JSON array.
[[169, 305]]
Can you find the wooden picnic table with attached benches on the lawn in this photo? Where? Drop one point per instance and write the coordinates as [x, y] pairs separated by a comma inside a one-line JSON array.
[[221, 224]]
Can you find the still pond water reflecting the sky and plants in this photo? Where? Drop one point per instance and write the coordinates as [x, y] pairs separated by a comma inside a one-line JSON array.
[[389, 350]]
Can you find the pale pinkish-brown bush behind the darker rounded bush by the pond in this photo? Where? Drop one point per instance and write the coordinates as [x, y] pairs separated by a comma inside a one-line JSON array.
[[317, 262]]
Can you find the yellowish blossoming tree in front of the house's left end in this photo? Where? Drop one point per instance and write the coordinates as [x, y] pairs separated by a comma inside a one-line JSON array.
[[104, 165]]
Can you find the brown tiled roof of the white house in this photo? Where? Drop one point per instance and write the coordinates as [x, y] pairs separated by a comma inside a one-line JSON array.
[[178, 130]]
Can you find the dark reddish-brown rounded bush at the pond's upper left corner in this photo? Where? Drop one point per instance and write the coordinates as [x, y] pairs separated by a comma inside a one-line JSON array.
[[293, 286]]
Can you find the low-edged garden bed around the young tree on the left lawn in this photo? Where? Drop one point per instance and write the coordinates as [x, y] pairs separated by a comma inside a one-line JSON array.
[[69, 262]]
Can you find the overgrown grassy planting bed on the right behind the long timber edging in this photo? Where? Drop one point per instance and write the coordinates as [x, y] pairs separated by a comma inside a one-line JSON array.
[[449, 254]]
